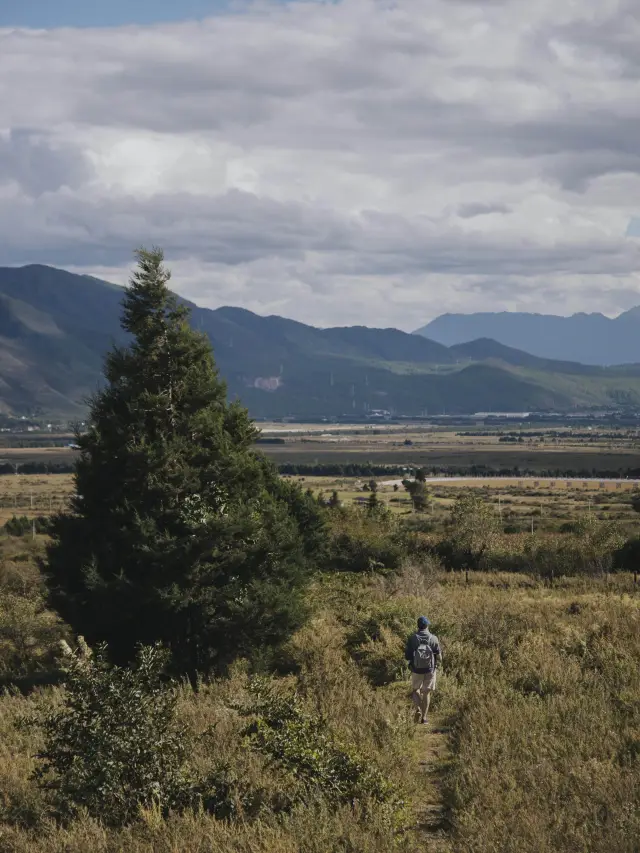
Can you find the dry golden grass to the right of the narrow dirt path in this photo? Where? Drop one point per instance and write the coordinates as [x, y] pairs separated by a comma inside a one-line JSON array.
[[544, 687]]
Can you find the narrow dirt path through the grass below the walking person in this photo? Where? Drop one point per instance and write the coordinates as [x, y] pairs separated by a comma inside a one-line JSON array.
[[432, 753]]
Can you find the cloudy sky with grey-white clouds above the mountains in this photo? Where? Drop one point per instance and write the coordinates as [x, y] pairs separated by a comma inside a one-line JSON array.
[[353, 162]]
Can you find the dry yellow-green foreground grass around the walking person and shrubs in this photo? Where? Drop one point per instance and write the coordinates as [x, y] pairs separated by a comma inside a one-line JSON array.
[[533, 746]]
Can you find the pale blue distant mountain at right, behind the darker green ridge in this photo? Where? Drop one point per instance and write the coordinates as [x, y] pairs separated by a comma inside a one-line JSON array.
[[585, 338]]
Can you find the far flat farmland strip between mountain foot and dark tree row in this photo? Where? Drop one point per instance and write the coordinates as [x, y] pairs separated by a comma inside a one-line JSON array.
[[585, 451]]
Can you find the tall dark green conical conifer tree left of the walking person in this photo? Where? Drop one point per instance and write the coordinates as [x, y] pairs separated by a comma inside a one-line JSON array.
[[179, 532]]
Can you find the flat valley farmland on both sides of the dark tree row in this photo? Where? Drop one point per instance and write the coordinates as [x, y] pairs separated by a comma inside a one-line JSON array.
[[545, 502]]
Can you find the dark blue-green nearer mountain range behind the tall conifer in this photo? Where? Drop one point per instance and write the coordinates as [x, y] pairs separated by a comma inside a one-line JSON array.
[[55, 327]]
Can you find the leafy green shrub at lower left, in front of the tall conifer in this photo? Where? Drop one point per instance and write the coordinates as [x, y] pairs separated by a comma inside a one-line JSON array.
[[115, 747]]
